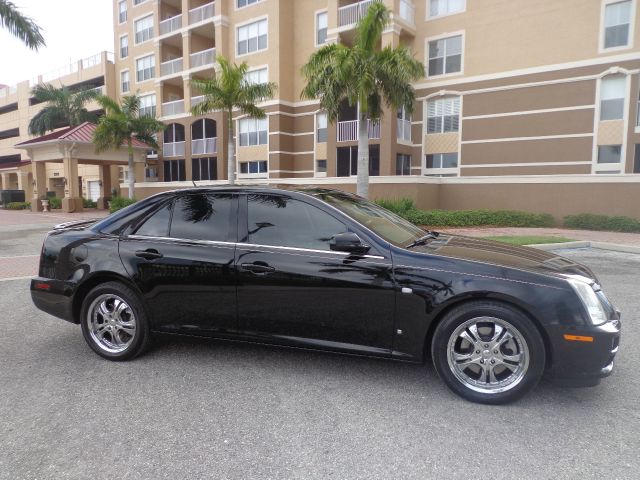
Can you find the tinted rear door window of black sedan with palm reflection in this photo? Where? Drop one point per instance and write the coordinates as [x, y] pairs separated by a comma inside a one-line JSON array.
[[203, 217]]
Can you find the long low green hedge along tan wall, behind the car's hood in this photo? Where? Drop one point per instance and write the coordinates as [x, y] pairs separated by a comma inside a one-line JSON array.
[[466, 218]]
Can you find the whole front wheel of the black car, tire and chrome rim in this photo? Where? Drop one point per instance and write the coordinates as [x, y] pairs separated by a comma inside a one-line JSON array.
[[458, 360]]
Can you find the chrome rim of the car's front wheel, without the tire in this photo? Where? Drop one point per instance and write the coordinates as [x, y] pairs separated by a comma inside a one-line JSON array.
[[488, 355]]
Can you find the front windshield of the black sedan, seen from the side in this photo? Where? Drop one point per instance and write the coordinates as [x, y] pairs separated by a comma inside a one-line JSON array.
[[386, 224]]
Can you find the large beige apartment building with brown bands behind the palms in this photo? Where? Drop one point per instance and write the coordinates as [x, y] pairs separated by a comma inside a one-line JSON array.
[[524, 105]]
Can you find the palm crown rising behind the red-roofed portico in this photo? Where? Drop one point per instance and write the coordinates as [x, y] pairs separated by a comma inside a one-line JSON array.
[[65, 107]]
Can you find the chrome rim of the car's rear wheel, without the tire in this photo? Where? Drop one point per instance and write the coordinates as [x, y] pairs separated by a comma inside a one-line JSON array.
[[111, 322]]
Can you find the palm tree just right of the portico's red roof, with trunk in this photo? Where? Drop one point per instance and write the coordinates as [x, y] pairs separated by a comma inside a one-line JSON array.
[[121, 124]]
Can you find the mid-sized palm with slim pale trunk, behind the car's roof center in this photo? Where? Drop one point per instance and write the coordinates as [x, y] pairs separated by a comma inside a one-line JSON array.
[[229, 90]]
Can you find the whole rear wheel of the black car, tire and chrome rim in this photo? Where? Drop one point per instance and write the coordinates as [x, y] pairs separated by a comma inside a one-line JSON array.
[[136, 343]]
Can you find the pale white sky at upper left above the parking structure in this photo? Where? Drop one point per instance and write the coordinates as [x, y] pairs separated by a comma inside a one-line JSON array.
[[72, 29]]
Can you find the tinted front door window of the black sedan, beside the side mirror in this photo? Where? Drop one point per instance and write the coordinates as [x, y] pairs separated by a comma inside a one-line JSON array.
[[281, 221]]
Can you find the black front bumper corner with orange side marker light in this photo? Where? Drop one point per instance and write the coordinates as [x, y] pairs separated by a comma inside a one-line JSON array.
[[583, 363]]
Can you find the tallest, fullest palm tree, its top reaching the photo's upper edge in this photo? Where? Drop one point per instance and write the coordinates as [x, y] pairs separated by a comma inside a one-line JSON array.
[[363, 75]]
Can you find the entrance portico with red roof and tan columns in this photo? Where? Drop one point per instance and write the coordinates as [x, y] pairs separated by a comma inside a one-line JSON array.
[[73, 146]]
